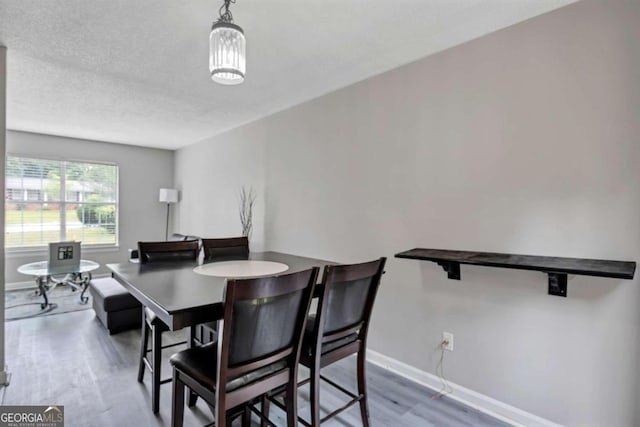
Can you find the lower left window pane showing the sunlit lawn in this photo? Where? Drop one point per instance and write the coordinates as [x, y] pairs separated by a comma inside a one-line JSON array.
[[31, 224]]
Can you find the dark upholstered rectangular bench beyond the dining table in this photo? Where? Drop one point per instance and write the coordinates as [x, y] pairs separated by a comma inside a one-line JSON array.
[[116, 308]]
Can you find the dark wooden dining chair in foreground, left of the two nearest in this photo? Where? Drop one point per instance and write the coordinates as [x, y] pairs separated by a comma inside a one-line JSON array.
[[257, 351]]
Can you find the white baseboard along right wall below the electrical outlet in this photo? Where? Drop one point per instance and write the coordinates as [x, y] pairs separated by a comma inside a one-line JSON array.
[[480, 402]]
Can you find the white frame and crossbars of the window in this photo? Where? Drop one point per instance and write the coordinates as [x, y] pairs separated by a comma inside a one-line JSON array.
[[97, 247]]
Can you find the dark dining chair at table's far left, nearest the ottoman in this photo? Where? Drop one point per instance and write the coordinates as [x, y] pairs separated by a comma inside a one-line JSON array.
[[159, 252]]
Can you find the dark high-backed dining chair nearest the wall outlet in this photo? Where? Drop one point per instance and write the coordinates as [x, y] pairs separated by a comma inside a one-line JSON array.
[[337, 330]]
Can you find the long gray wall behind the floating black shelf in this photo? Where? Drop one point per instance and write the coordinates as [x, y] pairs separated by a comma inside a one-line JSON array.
[[523, 141]]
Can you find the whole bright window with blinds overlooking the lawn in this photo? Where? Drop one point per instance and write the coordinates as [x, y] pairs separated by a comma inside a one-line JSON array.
[[51, 200]]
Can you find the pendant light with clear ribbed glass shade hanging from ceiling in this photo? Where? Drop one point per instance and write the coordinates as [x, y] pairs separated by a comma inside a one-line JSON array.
[[226, 49]]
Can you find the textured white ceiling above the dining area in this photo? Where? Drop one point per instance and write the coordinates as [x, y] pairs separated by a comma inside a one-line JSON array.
[[136, 72]]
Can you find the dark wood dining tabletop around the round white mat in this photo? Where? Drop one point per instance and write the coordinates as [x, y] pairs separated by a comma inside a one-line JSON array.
[[183, 298]]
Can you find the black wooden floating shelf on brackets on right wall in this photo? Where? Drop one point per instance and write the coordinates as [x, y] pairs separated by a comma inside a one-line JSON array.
[[556, 267]]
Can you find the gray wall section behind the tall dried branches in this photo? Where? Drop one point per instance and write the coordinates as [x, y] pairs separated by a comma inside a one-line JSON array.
[[210, 176]]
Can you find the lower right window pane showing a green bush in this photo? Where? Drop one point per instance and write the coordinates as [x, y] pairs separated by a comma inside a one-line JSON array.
[[92, 223]]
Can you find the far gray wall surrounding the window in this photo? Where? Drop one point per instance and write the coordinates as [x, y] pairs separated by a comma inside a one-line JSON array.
[[142, 172]]
